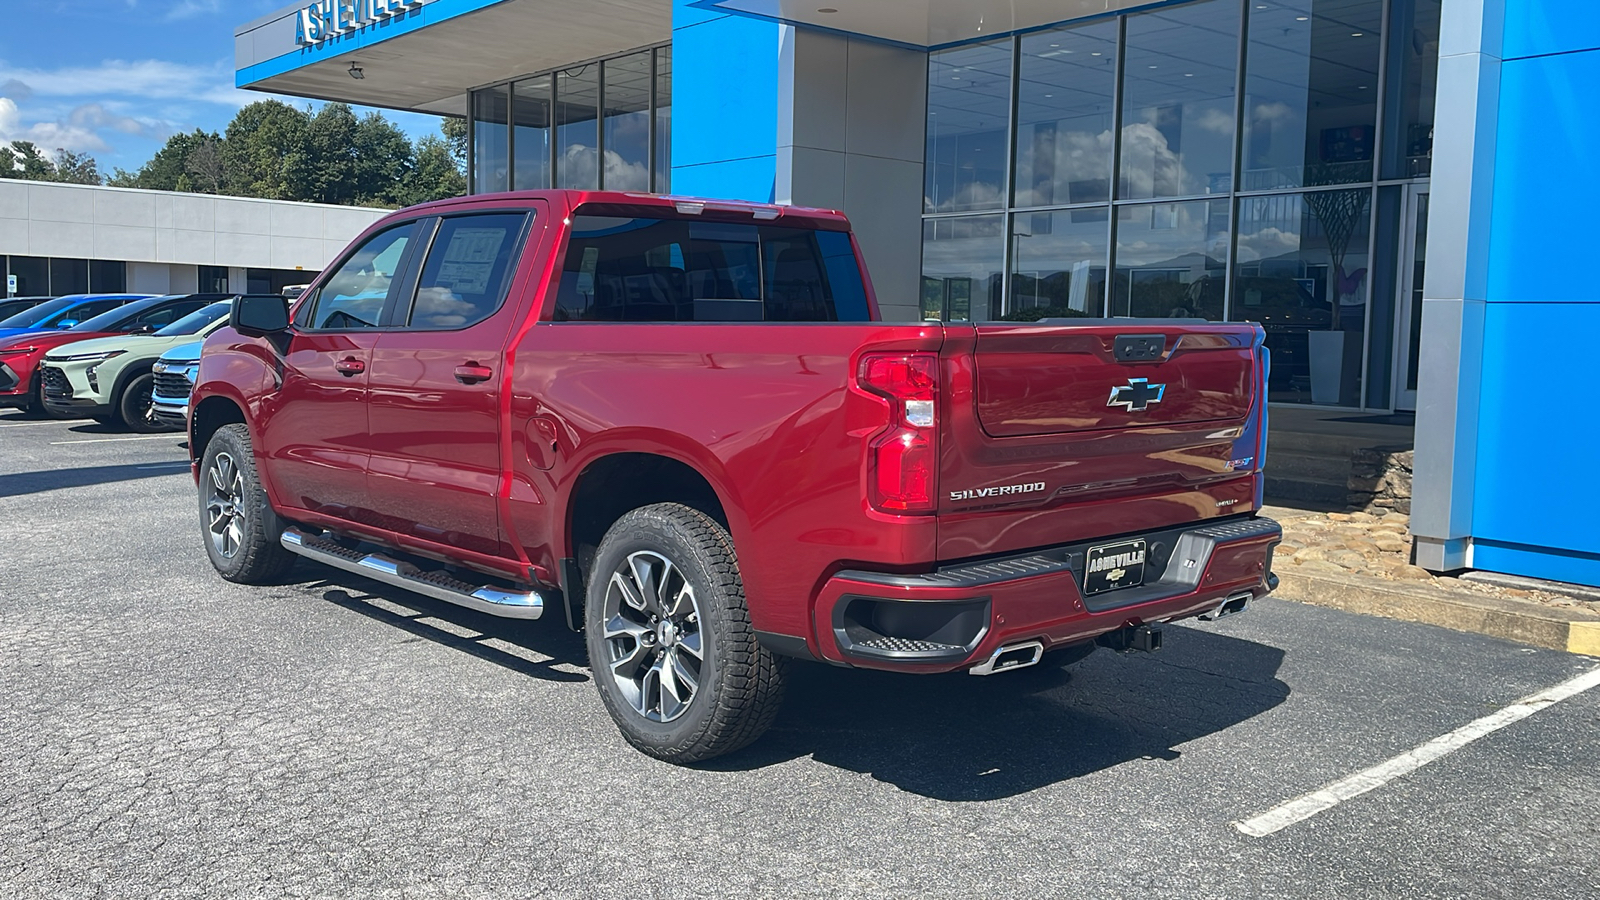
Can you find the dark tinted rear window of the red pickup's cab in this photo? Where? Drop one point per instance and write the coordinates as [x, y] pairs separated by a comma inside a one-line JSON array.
[[644, 270]]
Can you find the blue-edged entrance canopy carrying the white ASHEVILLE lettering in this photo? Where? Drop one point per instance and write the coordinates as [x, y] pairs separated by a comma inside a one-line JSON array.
[[426, 55]]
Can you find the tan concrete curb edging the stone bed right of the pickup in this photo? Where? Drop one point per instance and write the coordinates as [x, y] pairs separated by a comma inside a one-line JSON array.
[[1574, 632]]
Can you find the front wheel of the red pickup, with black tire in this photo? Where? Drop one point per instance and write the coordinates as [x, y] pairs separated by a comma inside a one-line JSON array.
[[247, 550]]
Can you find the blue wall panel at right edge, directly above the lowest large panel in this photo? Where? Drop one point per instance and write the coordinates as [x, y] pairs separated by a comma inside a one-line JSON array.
[[1546, 180]]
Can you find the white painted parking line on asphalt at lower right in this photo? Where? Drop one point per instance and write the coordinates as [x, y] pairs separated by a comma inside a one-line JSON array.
[[1330, 797]]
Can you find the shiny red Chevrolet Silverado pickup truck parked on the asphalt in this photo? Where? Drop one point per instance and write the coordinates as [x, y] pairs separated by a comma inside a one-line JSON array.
[[682, 425]]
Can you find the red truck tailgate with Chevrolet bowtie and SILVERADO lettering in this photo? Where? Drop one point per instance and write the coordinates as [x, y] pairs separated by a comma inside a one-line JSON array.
[[1062, 433]]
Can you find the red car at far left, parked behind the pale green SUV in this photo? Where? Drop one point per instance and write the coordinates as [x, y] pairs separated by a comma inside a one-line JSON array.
[[127, 315]]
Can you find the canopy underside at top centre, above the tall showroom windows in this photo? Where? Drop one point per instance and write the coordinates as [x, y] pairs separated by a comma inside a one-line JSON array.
[[922, 23]]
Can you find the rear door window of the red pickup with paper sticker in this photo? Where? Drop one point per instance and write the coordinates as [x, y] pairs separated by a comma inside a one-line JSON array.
[[466, 273]]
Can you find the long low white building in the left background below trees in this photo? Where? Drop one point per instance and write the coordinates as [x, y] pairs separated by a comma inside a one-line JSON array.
[[60, 239]]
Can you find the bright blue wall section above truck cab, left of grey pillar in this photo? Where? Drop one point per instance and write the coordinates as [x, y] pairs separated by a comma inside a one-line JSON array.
[[724, 105]]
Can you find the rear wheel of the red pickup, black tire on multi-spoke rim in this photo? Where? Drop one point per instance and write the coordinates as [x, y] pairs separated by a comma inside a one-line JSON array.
[[737, 688]]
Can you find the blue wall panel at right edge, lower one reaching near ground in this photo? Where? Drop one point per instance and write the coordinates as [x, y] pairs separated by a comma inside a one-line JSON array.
[[1538, 475]]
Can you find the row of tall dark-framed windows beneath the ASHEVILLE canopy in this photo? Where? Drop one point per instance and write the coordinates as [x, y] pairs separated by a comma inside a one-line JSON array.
[[604, 124]]
